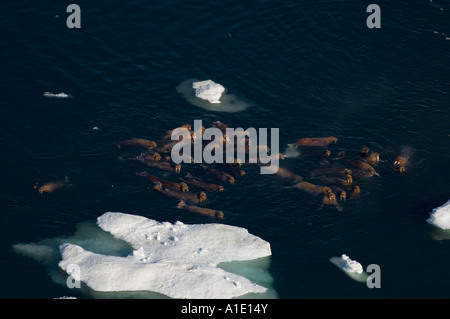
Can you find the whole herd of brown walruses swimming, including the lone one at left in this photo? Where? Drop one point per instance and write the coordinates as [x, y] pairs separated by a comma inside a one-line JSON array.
[[334, 179]]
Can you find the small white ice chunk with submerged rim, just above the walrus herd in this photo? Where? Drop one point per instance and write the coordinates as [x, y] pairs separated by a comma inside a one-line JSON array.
[[210, 95]]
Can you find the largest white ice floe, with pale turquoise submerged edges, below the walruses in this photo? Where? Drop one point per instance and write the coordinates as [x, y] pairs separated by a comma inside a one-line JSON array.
[[175, 260]]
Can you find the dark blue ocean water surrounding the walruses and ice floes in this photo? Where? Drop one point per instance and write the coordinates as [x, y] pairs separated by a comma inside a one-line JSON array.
[[309, 68]]
